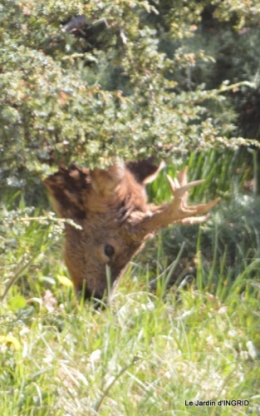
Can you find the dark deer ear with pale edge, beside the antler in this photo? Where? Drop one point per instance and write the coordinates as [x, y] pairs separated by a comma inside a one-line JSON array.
[[145, 171]]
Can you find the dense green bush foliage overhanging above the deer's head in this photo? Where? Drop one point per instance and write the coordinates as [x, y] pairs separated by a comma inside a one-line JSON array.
[[137, 77]]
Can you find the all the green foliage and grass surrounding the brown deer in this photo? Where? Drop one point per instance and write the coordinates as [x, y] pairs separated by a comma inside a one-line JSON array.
[[86, 80]]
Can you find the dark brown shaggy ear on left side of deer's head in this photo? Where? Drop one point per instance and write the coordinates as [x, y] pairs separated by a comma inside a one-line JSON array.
[[66, 187]]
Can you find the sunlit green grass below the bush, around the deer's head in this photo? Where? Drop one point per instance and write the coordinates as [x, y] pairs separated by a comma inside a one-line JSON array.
[[157, 350]]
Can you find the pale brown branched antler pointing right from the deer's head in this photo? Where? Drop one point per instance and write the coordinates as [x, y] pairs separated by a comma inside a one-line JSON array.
[[177, 211]]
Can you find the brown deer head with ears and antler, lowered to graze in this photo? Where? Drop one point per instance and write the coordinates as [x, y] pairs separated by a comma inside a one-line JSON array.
[[111, 207]]
